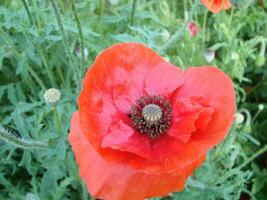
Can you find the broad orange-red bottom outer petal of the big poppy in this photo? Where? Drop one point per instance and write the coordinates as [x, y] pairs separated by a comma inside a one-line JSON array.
[[101, 176]]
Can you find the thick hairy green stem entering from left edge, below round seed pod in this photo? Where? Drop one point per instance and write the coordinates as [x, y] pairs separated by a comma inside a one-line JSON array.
[[7, 137]]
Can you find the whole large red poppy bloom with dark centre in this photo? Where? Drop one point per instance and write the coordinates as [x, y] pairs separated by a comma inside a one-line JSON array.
[[143, 125]]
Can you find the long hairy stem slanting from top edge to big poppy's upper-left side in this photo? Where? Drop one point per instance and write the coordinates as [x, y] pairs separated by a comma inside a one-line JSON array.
[[65, 43]]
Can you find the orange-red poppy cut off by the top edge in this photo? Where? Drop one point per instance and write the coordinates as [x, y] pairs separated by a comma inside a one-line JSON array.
[[216, 6]]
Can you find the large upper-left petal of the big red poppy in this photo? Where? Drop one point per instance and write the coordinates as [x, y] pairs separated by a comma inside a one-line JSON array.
[[112, 85]]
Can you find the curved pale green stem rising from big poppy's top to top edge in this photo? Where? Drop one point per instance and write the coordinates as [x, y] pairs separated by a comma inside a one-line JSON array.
[[179, 33]]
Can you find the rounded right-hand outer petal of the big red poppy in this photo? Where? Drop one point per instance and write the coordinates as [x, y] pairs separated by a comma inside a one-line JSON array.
[[217, 88]]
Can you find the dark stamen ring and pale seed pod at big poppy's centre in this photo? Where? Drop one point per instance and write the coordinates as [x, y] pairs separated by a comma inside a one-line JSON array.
[[151, 115]]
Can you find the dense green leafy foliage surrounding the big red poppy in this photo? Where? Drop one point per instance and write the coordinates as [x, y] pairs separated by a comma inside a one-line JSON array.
[[41, 46]]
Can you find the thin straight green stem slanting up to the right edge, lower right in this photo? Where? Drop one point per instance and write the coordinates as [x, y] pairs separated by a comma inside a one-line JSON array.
[[253, 157]]
